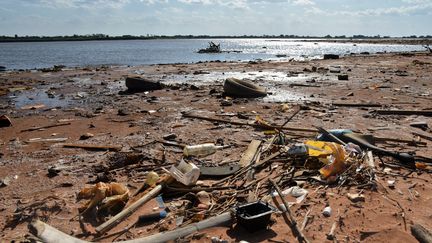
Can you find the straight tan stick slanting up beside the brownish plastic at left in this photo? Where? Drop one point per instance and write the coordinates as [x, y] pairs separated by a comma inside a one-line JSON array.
[[129, 210]]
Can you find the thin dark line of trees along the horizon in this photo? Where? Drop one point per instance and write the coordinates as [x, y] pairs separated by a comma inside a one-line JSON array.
[[75, 37]]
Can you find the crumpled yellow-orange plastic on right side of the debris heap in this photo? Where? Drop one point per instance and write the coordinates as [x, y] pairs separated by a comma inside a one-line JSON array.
[[331, 154]]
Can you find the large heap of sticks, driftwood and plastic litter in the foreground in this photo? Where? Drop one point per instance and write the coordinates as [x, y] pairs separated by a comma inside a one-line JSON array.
[[246, 193]]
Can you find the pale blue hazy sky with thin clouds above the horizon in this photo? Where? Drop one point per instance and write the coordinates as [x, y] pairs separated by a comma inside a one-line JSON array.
[[216, 17]]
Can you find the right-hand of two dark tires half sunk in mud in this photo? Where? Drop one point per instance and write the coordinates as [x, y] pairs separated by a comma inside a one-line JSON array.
[[243, 89]]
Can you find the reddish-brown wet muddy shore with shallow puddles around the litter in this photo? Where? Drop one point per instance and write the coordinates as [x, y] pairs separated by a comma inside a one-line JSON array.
[[93, 101]]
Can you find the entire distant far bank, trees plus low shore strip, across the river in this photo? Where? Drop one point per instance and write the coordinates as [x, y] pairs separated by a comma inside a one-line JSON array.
[[337, 39]]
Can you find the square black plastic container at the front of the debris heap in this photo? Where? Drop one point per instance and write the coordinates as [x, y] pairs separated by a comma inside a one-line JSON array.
[[254, 216]]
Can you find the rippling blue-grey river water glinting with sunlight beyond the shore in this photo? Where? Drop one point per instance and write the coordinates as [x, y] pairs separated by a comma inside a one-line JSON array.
[[30, 55]]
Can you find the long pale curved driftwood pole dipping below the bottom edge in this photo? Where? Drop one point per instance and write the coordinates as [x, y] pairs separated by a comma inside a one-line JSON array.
[[50, 234]]
